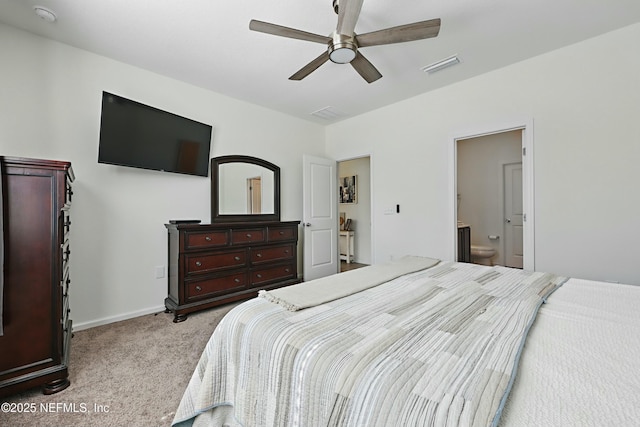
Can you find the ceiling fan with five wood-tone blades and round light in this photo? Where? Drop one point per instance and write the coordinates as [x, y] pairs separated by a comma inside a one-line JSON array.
[[343, 43]]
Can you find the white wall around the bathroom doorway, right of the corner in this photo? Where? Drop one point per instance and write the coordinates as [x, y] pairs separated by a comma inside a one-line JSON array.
[[584, 101]]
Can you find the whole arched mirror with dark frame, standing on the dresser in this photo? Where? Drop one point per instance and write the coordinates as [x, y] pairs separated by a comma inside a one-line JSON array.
[[244, 188]]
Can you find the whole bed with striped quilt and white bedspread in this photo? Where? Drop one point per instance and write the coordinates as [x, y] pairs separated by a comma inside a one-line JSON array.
[[418, 342]]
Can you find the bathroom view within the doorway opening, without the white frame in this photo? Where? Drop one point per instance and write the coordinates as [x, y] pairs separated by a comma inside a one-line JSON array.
[[489, 196]]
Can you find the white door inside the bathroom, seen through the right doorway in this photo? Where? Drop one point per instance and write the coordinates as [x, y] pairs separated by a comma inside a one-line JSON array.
[[513, 229]]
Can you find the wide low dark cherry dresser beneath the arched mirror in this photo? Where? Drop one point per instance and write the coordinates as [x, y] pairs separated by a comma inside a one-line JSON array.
[[210, 265]]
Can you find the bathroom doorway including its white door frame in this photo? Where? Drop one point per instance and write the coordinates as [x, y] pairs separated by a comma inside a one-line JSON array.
[[496, 162]]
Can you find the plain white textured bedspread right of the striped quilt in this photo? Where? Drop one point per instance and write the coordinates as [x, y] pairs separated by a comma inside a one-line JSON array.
[[581, 362]]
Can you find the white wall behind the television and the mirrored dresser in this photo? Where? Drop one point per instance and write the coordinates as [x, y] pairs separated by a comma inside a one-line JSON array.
[[50, 98]]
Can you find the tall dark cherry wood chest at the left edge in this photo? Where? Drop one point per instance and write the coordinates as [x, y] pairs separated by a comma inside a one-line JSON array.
[[36, 197]]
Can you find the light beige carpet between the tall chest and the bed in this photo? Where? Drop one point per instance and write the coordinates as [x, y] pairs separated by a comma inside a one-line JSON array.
[[129, 373]]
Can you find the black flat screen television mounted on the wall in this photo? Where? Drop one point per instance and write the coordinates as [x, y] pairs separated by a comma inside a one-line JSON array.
[[137, 135]]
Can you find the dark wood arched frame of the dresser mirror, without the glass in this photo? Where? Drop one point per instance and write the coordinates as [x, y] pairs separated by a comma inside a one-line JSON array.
[[216, 216]]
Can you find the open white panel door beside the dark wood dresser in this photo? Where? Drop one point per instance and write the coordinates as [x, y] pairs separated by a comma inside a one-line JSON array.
[[320, 217]]
